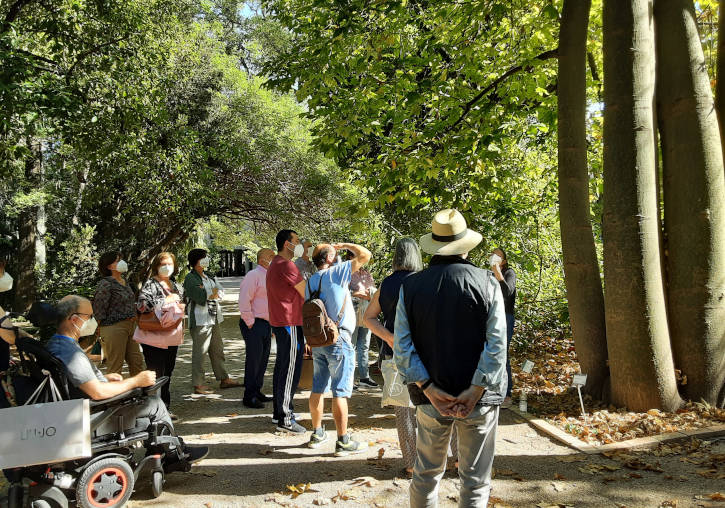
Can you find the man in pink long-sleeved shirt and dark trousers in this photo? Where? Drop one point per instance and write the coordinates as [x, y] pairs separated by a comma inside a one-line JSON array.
[[255, 328]]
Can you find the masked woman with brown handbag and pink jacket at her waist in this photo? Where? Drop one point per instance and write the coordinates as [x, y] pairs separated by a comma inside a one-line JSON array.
[[160, 348]]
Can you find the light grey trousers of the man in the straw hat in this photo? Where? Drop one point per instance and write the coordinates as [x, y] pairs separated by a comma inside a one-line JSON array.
[[476, 442]]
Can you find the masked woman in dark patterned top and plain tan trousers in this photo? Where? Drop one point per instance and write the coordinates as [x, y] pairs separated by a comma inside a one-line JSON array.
[[115, 309]]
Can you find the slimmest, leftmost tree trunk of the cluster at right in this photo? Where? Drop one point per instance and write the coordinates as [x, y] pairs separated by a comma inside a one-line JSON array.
[[581, 267]]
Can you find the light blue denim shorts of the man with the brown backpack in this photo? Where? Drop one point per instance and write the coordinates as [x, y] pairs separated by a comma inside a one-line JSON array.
[[334, 368]]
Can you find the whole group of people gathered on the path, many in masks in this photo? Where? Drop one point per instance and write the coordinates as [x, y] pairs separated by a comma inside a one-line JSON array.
[[447, 329]]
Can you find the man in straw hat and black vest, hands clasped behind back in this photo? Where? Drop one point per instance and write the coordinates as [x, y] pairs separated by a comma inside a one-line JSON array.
[[450, 346]]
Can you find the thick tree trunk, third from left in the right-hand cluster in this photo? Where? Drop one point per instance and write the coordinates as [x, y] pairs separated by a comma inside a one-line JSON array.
[[693, 190]]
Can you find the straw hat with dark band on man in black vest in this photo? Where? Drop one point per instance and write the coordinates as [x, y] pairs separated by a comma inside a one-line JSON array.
[[450, 235]]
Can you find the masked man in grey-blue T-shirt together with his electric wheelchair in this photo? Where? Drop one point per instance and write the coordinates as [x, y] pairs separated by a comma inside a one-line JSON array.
[[131, 430]]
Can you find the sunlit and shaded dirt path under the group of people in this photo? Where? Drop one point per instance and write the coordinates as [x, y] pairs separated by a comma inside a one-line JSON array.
[[251, 465]]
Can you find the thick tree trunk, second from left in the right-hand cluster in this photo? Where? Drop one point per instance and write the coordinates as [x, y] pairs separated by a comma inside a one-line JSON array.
[[640, 358]]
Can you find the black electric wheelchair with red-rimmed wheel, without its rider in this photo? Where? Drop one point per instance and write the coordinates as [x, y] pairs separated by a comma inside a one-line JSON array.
[[123, 446]]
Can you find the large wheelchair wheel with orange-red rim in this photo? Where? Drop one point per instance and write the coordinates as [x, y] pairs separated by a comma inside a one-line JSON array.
[[107, 483]]
